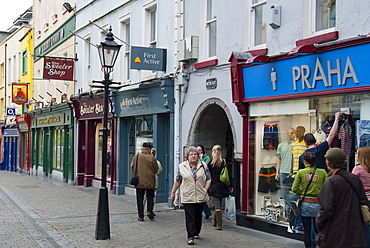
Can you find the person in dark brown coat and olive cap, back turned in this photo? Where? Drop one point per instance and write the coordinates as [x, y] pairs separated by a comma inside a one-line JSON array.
[[339, 221]]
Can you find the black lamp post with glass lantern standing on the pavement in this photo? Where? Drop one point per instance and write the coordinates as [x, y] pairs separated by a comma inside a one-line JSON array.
[[108, 53]]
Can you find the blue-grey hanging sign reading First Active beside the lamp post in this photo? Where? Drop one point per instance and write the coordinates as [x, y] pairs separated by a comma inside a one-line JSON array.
[[146, 58]]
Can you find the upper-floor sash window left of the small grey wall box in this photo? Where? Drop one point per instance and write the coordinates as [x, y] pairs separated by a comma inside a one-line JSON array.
[[259, 8]]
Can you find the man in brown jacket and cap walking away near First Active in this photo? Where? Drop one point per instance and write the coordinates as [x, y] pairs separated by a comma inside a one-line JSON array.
[[145, 167]]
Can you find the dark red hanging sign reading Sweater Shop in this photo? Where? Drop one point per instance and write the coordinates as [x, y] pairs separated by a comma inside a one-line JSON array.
[[58, 69]]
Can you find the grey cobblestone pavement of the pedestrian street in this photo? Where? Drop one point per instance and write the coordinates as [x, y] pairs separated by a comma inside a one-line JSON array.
[[40, 212]]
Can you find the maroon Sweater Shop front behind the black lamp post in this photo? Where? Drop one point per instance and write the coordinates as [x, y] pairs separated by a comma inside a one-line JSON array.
[[89, 116]]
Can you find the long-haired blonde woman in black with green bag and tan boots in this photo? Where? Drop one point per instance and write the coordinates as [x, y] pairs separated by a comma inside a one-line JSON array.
[[218, 189]]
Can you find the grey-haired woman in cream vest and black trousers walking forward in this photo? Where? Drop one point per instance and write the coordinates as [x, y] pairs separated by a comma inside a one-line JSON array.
[[194, 178]]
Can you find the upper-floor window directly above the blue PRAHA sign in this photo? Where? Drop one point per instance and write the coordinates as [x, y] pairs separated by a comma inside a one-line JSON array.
[[325, 14]]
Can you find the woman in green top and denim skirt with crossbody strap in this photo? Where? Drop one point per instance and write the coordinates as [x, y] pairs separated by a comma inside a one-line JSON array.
[[308, 182]]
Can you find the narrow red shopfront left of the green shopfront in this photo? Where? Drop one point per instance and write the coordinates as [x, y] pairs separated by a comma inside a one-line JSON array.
[[24, 124]]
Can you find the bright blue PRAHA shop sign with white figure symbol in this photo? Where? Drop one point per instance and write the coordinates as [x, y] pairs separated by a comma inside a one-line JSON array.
[[339, 69]]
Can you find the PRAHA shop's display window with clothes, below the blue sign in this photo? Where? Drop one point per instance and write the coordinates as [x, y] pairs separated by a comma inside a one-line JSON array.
[[269, 126]]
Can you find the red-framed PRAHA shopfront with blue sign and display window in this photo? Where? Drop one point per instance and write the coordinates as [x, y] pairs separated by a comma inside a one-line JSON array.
[[303, 88]]
